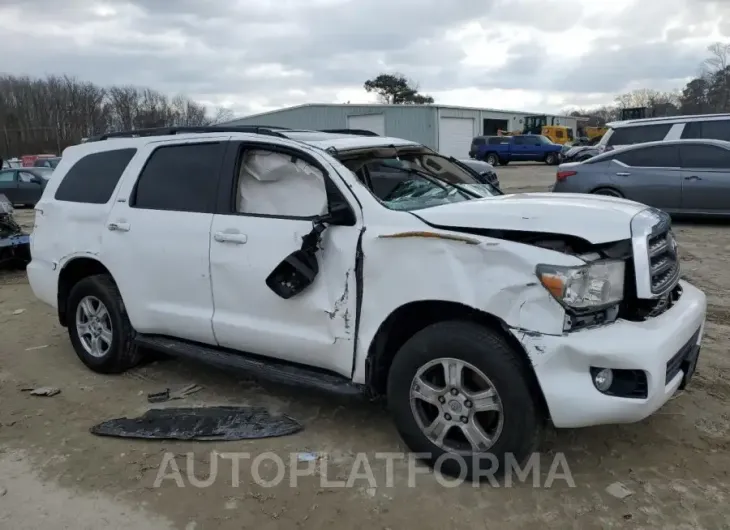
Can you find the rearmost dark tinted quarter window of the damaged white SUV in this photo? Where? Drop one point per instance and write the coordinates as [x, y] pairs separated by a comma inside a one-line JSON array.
[[93, 178]]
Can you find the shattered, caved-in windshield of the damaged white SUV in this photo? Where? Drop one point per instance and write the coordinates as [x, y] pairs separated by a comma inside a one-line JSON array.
[[419, 180]]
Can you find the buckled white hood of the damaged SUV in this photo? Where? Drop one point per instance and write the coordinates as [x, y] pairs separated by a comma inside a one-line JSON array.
[[595, 218]]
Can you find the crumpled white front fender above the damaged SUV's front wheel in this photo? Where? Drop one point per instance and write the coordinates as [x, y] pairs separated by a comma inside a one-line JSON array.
[[494, 276]]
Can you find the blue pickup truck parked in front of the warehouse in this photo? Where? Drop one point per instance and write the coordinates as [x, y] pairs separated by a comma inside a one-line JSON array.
[[520, 148]]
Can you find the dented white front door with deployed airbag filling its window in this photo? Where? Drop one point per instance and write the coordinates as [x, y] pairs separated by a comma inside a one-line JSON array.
[[278, 193]]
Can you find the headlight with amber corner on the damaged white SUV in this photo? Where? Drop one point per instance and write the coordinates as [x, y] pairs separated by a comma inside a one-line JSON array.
[[590, 286]]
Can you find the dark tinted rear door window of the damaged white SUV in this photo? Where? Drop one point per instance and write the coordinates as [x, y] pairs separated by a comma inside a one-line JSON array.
[[182, 178]]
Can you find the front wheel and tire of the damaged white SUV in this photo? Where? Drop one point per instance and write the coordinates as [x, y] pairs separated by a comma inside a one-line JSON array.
[[459, 393]]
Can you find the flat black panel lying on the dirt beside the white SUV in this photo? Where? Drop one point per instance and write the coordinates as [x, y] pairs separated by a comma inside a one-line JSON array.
[[203, 423]]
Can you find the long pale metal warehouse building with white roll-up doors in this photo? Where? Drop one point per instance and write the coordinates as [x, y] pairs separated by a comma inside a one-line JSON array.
[[447, 129]]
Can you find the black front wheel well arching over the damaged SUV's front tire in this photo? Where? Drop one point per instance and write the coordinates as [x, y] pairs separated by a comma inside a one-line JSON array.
[[405, 321]]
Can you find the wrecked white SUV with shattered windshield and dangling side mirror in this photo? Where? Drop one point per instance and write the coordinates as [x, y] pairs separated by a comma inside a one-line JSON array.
[[370, 266]]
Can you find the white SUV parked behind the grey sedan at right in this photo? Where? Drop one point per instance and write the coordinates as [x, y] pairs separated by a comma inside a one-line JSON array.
[[629, 132]]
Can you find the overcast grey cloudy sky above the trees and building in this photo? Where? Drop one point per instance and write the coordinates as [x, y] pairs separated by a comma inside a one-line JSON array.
[[256, 55]]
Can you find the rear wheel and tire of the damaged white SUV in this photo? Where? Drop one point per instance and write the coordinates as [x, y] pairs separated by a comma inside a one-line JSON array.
[[98, 326]]
